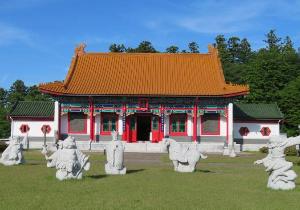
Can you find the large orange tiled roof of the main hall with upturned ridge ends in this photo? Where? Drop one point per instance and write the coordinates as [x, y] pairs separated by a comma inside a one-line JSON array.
[[155, 74]]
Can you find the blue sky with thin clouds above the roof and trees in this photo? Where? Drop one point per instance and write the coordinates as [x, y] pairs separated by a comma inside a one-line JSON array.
[[37, 37]]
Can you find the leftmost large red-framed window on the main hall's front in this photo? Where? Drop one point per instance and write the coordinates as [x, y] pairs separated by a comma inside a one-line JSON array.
[[77, 122]]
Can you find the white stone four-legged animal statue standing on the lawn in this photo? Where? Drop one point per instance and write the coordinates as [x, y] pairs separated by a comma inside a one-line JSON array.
[[184, 157]]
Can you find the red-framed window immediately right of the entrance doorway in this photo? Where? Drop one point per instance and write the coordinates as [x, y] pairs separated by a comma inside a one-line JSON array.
[[178, 124]]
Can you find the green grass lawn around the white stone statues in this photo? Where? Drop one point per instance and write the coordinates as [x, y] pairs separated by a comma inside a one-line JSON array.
[[219, 183]]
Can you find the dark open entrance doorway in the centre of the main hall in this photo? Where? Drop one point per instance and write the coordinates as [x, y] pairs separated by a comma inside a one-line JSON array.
[[143, 127]]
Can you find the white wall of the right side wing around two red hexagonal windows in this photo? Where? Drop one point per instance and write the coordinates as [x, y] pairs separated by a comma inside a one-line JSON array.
[[254, 128]]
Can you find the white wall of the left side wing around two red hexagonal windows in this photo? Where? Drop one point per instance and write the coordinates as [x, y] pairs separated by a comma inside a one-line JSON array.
[[34, 128]]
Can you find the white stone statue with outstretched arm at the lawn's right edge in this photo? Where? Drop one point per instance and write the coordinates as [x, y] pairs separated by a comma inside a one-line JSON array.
[[282, 177]]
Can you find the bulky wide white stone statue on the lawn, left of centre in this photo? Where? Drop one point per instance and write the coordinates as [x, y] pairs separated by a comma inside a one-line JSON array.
[[68, 160]]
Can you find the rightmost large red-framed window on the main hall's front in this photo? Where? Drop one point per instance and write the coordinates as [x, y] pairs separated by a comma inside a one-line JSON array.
[[210, 124]]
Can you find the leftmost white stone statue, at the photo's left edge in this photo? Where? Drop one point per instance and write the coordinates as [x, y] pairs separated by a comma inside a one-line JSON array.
[[13, 154]]
